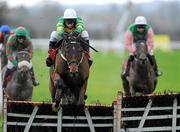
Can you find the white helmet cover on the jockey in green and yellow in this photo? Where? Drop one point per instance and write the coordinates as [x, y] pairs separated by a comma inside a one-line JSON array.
[[70, 14]]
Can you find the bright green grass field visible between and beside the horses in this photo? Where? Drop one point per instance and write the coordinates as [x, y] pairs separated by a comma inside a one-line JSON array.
[[104, 81]]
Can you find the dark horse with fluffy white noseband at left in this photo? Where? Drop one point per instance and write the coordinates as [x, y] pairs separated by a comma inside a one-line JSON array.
[[20, 86]]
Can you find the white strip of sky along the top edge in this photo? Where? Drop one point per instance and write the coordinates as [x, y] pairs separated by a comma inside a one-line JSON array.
[[13, 3]]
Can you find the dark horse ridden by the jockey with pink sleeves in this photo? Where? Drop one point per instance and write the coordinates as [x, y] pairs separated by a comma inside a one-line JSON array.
[[142, 78]]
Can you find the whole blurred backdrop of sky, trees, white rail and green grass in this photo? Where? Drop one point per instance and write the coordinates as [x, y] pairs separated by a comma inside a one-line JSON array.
[[106, 21]]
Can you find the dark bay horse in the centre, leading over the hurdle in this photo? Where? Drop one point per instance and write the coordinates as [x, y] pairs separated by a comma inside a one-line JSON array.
[[68, 80]]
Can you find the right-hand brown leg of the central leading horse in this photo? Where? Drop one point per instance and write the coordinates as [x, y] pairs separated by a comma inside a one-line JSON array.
[[82, 93]]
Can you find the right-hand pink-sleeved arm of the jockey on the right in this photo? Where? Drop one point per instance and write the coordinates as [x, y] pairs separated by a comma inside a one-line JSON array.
[[150, 40]]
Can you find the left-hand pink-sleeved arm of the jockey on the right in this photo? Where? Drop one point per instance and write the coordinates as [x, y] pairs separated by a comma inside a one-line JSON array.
[[129, 42]]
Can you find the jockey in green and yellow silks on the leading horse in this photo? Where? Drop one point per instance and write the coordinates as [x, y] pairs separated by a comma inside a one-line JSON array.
[[69, 23]]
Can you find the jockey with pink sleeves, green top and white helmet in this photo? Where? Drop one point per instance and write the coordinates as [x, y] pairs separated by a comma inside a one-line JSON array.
[[139, 30]]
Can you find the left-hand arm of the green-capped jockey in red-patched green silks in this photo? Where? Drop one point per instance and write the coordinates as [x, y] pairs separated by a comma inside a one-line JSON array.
[[9, 52]]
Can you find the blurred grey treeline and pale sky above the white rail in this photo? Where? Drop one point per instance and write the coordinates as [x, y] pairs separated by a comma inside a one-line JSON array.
[[104, 19]]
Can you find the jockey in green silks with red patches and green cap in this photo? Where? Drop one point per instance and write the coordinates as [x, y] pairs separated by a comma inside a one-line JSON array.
[[18, 42]]
